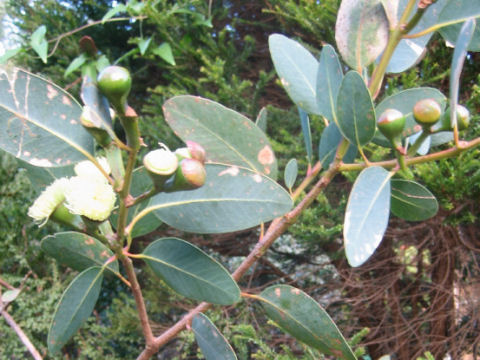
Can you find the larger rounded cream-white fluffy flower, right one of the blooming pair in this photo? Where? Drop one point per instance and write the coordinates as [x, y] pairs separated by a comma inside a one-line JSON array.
[[90, 197]]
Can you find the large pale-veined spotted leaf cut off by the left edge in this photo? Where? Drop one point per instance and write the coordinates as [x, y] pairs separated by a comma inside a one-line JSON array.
[[40, 121]]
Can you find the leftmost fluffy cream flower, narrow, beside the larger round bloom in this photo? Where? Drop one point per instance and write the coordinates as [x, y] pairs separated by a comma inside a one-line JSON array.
[[48, 200]]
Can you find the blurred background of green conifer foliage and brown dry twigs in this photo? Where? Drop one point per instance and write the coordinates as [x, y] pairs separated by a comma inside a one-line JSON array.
[[229, 62]]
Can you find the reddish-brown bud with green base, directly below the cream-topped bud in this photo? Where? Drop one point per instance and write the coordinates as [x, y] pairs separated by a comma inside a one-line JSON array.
[[190, 175]]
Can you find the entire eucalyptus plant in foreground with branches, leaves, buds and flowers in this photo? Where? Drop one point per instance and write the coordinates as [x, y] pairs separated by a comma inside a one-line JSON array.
[[226, 178]]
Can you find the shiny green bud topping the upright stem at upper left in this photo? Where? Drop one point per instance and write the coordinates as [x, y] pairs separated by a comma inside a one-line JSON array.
[[115, 82]]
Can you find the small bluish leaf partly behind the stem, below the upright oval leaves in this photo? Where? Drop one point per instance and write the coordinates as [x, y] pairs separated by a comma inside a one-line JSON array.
[[329, 142]]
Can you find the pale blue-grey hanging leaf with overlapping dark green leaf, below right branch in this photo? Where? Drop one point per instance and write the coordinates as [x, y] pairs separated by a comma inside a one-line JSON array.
[[373, 196]]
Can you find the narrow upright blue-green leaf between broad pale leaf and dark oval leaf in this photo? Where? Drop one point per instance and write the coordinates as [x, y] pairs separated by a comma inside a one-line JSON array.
[[329, 79]]
